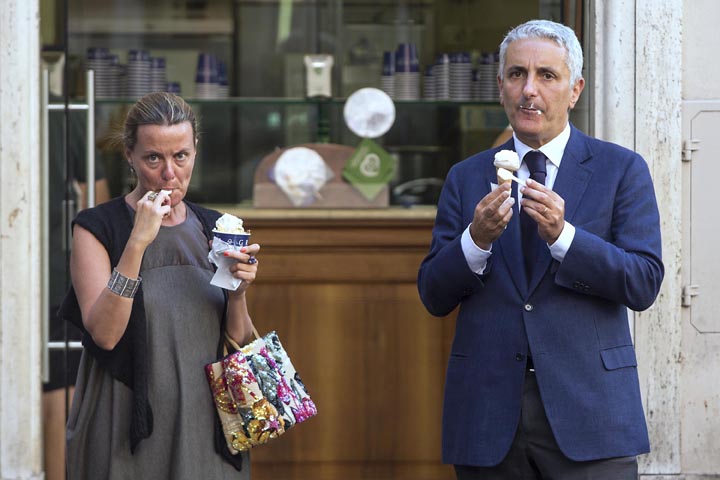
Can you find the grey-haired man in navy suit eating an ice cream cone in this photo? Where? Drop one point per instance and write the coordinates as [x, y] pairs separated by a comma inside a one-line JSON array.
[[542, 378]]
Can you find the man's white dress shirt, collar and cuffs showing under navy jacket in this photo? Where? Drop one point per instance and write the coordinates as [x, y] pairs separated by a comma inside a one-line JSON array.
[[475, 256]]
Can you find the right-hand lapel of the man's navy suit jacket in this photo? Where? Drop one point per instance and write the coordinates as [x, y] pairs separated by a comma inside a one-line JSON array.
[[571, 182]]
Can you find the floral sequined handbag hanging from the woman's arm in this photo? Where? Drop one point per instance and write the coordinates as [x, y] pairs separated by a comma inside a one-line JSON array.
[[258, 393]]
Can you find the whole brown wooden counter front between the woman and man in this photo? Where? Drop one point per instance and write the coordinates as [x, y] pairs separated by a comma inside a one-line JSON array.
[[344, 302]]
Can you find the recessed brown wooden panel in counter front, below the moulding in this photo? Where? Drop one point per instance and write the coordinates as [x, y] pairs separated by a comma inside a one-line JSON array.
[[373, 361]]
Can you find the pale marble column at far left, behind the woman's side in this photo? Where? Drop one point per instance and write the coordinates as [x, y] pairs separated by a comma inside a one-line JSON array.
[[20, 252]]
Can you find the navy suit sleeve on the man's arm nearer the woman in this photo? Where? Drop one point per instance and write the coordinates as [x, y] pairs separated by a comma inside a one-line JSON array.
[[445, 278]]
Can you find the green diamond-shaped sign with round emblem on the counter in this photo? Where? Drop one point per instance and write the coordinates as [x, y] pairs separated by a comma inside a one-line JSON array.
[[369, 169]]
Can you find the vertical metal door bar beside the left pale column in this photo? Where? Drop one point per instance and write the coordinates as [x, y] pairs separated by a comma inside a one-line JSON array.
[[45, 225]]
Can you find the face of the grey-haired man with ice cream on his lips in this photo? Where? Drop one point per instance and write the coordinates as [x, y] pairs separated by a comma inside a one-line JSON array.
[[536, 91]]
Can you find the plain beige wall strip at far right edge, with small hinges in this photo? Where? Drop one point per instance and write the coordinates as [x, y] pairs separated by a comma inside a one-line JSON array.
[[700, 388]]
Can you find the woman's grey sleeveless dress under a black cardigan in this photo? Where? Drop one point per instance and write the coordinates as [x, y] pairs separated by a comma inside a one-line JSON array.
[[183, 319]]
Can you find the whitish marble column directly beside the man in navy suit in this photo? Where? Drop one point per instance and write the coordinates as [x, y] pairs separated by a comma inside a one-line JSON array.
[[636, 91]]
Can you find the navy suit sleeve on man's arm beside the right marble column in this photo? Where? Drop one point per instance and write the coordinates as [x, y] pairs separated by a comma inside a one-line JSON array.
[[623, 266]]
